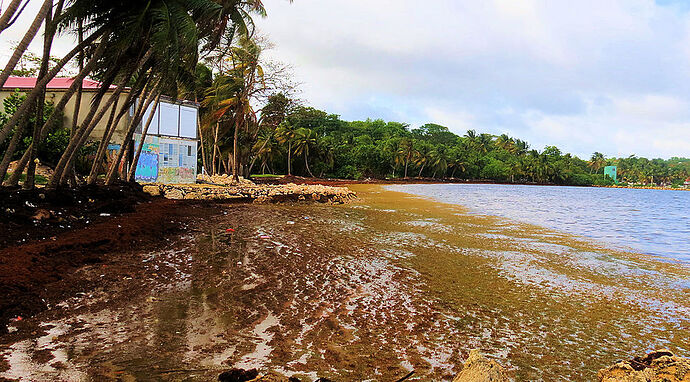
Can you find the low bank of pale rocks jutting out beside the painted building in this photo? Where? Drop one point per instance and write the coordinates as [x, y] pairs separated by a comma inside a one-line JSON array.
[[248, 191]]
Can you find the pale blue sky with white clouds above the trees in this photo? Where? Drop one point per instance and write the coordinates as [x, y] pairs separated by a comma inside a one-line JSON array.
[[590, 75]]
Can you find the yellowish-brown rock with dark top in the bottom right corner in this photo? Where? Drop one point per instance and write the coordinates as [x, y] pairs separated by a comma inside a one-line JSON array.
[[657, 366]]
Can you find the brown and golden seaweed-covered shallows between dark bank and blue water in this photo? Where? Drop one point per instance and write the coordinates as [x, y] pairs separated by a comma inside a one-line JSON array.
[[368, 290]]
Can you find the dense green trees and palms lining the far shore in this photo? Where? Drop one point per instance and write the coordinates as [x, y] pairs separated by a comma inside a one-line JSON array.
[[323, 144]]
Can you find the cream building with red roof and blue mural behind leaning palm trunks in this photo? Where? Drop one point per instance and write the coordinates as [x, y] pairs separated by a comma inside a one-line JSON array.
[[169, 154]]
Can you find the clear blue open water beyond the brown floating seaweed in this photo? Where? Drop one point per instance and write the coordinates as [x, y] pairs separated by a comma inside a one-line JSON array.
[[655, 222]]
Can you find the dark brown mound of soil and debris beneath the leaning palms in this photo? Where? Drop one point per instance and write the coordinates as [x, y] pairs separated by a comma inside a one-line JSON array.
[[45, 236]]
